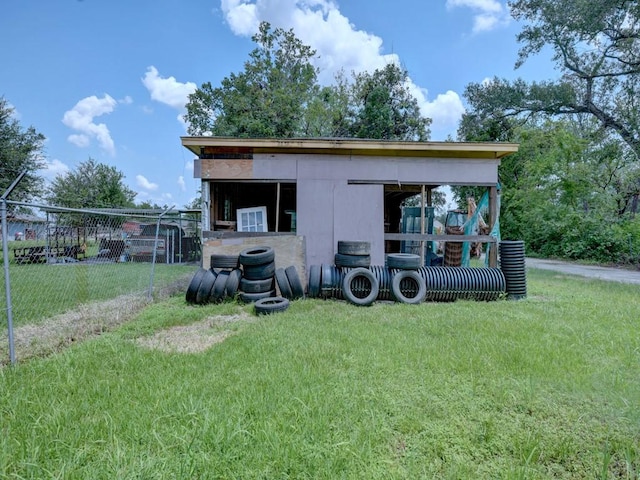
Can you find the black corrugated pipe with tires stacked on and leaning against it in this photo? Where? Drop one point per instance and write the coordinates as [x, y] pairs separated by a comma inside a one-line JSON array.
[[403, 279]]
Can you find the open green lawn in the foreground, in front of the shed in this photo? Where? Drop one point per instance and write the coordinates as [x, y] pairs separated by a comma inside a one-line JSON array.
[[545, 387]]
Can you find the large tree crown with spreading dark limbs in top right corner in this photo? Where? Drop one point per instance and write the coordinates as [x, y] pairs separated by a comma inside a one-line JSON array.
[[596, 46]]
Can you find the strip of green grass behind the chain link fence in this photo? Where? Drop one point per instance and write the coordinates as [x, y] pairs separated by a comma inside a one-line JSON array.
[[40, 291]]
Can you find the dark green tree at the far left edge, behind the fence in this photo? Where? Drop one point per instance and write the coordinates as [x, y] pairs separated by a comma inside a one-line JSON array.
[[20, 151]]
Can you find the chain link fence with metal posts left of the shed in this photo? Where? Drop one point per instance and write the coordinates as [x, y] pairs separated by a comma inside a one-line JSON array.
[[70, 273]]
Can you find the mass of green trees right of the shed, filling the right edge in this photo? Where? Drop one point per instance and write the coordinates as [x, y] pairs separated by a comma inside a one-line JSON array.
[[573, 188]]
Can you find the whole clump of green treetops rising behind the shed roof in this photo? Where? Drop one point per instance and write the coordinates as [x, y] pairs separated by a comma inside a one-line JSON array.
[[278, 95]]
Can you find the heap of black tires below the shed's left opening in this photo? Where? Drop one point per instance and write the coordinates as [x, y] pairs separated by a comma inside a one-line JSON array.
[[251, 276]]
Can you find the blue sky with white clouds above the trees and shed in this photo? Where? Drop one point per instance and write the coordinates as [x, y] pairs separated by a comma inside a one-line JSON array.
[[108, 80]]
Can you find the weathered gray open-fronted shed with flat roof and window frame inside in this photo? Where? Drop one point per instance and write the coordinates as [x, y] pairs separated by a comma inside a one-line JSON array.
[[326, 190]]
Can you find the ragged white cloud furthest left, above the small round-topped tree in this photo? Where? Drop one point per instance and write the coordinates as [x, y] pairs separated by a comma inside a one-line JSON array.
[[81, 118]]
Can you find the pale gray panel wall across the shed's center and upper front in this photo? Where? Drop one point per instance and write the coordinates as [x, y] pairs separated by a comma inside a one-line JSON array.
[[330, 208]]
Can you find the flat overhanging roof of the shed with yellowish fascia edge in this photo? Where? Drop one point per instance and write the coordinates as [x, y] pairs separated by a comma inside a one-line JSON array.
[[348, 146]]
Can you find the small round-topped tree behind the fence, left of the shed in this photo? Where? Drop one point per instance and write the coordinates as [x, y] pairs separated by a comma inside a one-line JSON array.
[[91, 185]]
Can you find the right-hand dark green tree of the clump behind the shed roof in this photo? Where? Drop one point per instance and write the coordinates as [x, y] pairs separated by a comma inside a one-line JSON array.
[[383, 107]]
